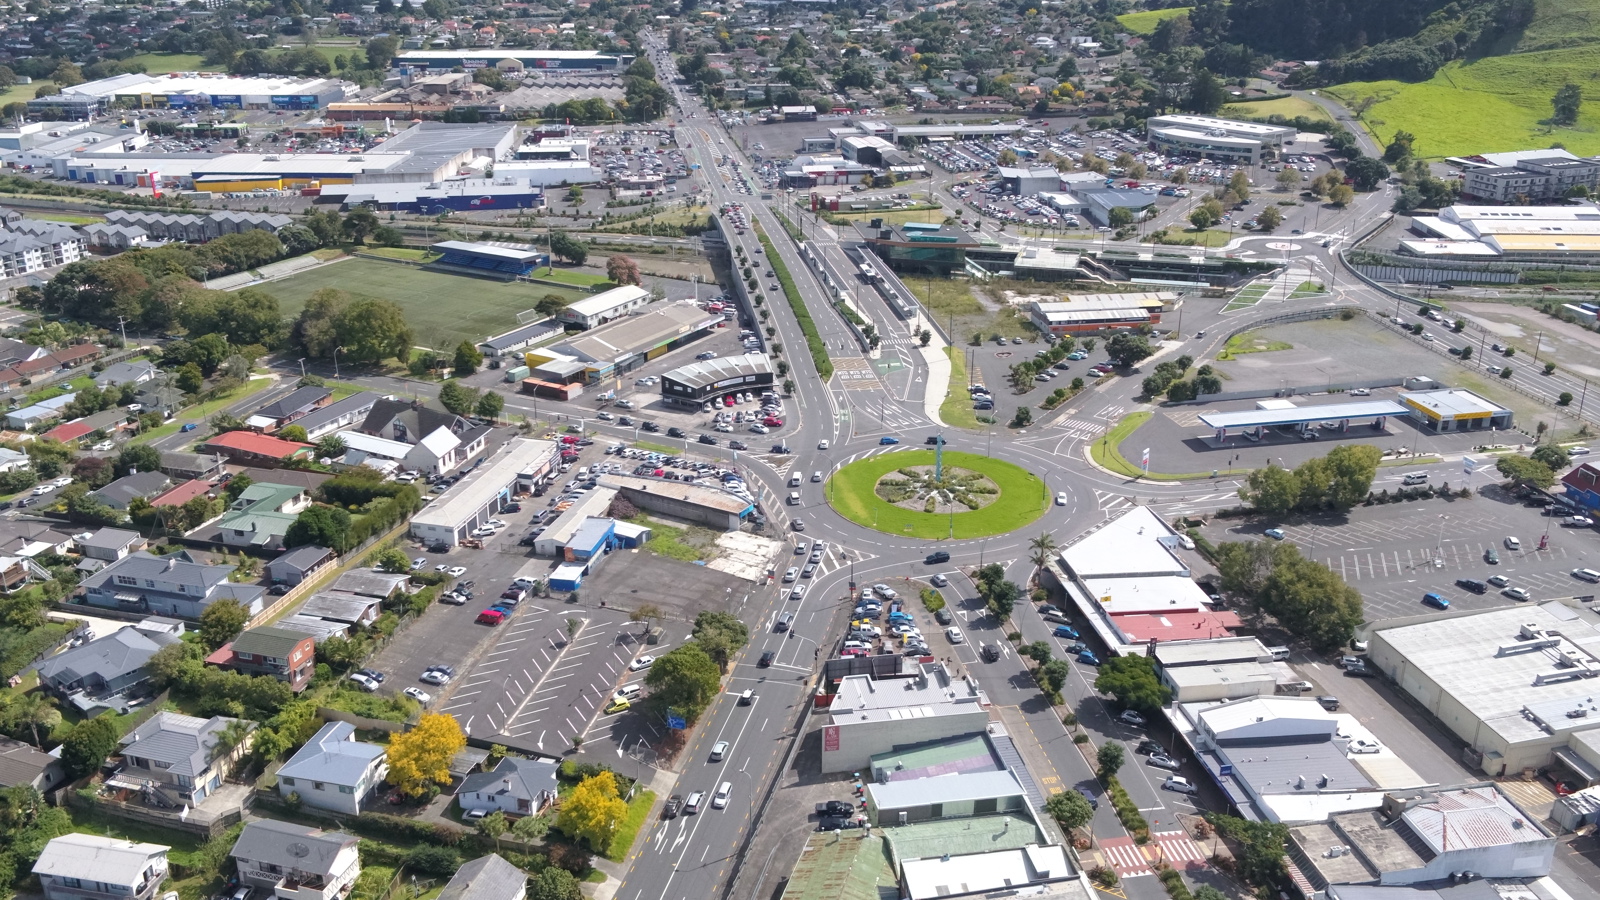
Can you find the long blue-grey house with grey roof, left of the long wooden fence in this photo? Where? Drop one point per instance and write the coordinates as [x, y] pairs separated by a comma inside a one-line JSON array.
[[167, 585]]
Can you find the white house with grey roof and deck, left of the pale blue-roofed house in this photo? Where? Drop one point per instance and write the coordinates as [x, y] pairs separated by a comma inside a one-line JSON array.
[[178, 760]]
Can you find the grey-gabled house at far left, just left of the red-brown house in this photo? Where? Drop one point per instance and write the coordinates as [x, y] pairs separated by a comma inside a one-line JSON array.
[[106, 673]]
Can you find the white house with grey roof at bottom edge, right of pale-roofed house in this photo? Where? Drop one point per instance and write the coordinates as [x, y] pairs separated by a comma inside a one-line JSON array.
[[295, 862]]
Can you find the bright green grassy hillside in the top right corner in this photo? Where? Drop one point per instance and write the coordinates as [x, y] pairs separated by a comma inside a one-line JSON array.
[[1497, 103]]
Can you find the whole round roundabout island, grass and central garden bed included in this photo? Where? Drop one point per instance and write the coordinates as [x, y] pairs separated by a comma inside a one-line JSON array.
[[897, 494]]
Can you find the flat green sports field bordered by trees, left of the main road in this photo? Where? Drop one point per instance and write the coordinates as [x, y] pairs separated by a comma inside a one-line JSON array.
[[442, 310]]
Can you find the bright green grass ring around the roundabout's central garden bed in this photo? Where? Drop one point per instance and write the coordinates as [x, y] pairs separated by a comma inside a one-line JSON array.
[[852, 494]]
